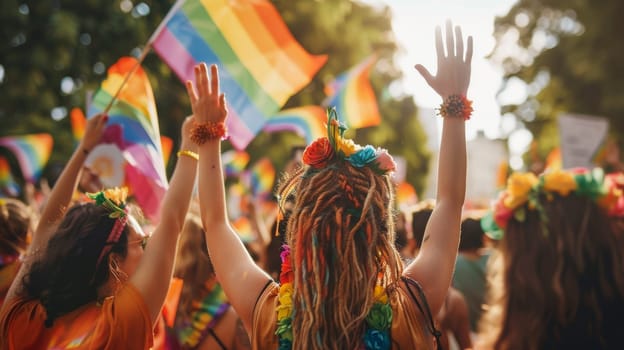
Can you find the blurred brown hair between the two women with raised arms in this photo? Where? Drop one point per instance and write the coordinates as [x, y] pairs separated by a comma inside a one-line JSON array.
[[193, 265]]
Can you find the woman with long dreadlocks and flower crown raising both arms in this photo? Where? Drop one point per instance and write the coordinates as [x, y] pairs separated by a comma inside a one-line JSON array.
[[342, 283]]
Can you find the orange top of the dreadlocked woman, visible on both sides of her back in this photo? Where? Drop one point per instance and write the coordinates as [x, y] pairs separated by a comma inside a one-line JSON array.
[[408, 324]]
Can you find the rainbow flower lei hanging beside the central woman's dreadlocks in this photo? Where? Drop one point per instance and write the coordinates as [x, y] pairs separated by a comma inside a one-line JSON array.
[[378, 320]]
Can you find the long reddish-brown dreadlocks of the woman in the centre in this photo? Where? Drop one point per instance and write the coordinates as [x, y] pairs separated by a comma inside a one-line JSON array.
[[341, 235]]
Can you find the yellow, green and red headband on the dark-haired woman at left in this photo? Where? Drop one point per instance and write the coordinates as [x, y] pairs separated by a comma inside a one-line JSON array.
[[113, 200]]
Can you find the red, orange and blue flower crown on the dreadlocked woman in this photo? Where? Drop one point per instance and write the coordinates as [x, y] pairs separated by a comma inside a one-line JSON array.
[[325, 149]]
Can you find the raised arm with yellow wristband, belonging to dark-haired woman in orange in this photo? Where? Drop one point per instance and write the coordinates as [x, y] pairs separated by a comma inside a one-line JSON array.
[[155, 270]]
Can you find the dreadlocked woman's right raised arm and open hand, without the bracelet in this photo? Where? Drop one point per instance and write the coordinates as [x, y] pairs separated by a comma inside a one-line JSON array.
[[433, 266]]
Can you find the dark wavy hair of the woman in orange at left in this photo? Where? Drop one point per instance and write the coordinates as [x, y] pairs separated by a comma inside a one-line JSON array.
[[65, 276]]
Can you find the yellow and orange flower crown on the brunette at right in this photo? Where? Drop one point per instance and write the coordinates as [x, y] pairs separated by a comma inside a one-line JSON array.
[[524, 189]]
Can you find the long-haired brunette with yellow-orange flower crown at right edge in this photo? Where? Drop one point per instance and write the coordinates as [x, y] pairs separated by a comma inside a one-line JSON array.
[[558, 280]]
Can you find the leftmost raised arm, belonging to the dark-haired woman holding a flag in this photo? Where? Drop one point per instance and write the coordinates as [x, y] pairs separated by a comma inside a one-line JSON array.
[[59, 199]]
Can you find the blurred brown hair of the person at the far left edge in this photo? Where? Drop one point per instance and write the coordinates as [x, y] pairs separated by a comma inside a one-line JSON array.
[[16, 222]]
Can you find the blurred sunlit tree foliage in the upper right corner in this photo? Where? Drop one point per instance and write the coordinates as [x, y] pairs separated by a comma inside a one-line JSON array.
[[569, 55]]
